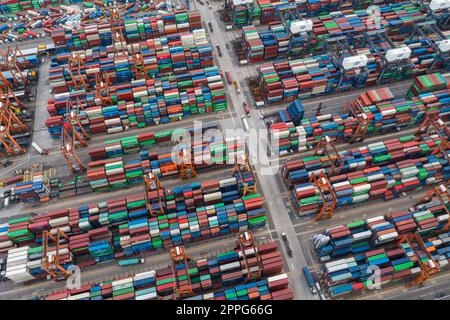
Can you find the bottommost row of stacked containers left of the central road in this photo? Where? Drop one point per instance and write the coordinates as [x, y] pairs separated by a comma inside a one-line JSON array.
[[219, 278]]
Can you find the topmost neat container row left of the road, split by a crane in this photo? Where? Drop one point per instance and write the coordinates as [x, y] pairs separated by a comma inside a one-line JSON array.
[[134, 30]]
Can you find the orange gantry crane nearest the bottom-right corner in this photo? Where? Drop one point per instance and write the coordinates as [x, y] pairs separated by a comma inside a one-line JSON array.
[[428, 268]]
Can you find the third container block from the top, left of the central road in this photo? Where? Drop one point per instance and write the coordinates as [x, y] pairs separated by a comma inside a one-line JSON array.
[[142, 103]]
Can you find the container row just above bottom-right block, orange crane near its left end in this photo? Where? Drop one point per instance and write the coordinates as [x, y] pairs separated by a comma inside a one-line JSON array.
[[379, 182]]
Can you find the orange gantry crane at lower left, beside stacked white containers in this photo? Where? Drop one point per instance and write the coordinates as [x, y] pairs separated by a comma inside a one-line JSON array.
[[52, 263]]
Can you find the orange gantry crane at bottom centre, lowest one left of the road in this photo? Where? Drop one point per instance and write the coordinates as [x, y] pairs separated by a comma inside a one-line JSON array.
[[180, 263]]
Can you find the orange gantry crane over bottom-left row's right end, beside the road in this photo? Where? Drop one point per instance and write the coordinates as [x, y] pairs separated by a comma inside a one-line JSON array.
[[247, 245]]
